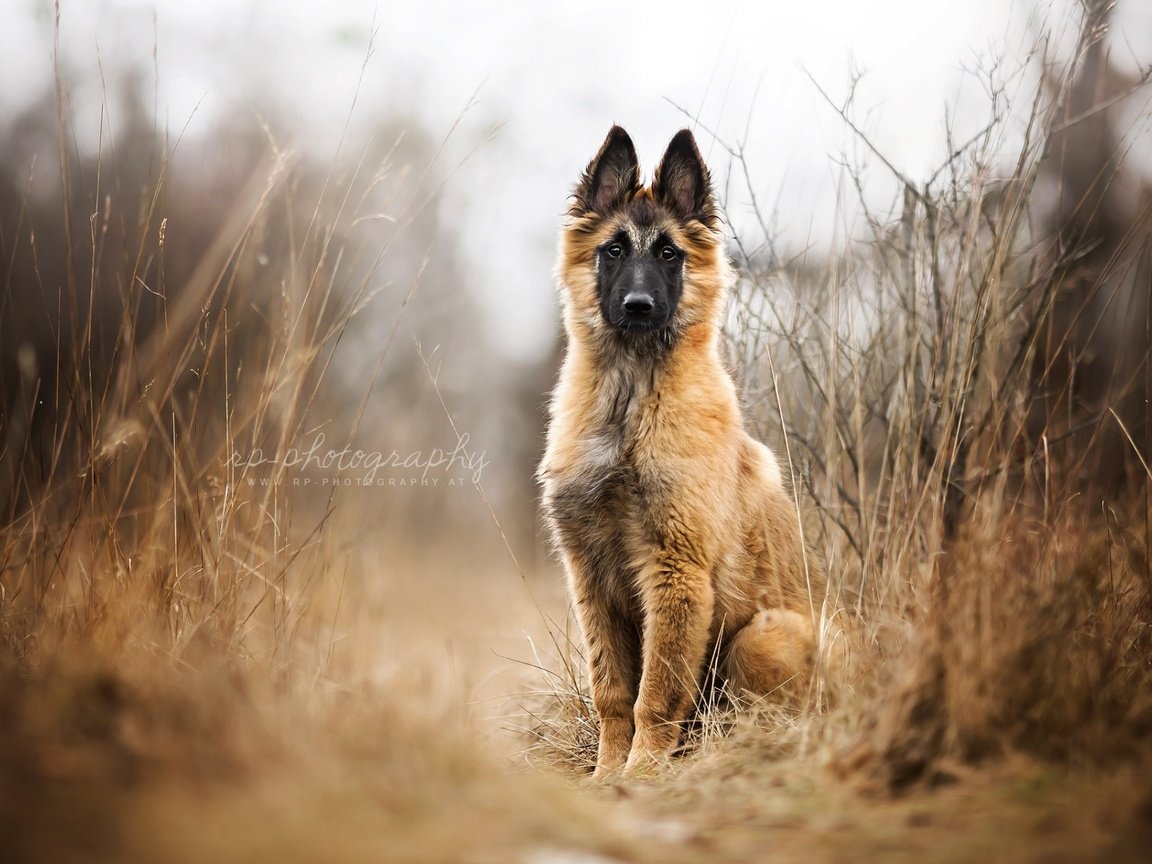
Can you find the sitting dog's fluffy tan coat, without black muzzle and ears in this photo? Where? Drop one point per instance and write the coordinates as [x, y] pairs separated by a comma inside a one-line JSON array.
[[677, 533]]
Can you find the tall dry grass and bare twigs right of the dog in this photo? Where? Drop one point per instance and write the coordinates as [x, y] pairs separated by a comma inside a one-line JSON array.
[[991, 575]]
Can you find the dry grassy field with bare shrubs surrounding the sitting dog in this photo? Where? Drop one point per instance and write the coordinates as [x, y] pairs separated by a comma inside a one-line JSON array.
[[240, 623]]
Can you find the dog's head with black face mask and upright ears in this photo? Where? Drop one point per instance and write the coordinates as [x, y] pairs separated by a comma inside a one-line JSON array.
[[643, 266]]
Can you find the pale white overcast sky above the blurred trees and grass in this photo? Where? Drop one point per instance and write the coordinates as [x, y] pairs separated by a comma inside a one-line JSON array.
[[557, 77]]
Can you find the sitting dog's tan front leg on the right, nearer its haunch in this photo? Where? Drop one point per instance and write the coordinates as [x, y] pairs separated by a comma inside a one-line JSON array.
[[678, 613]]
